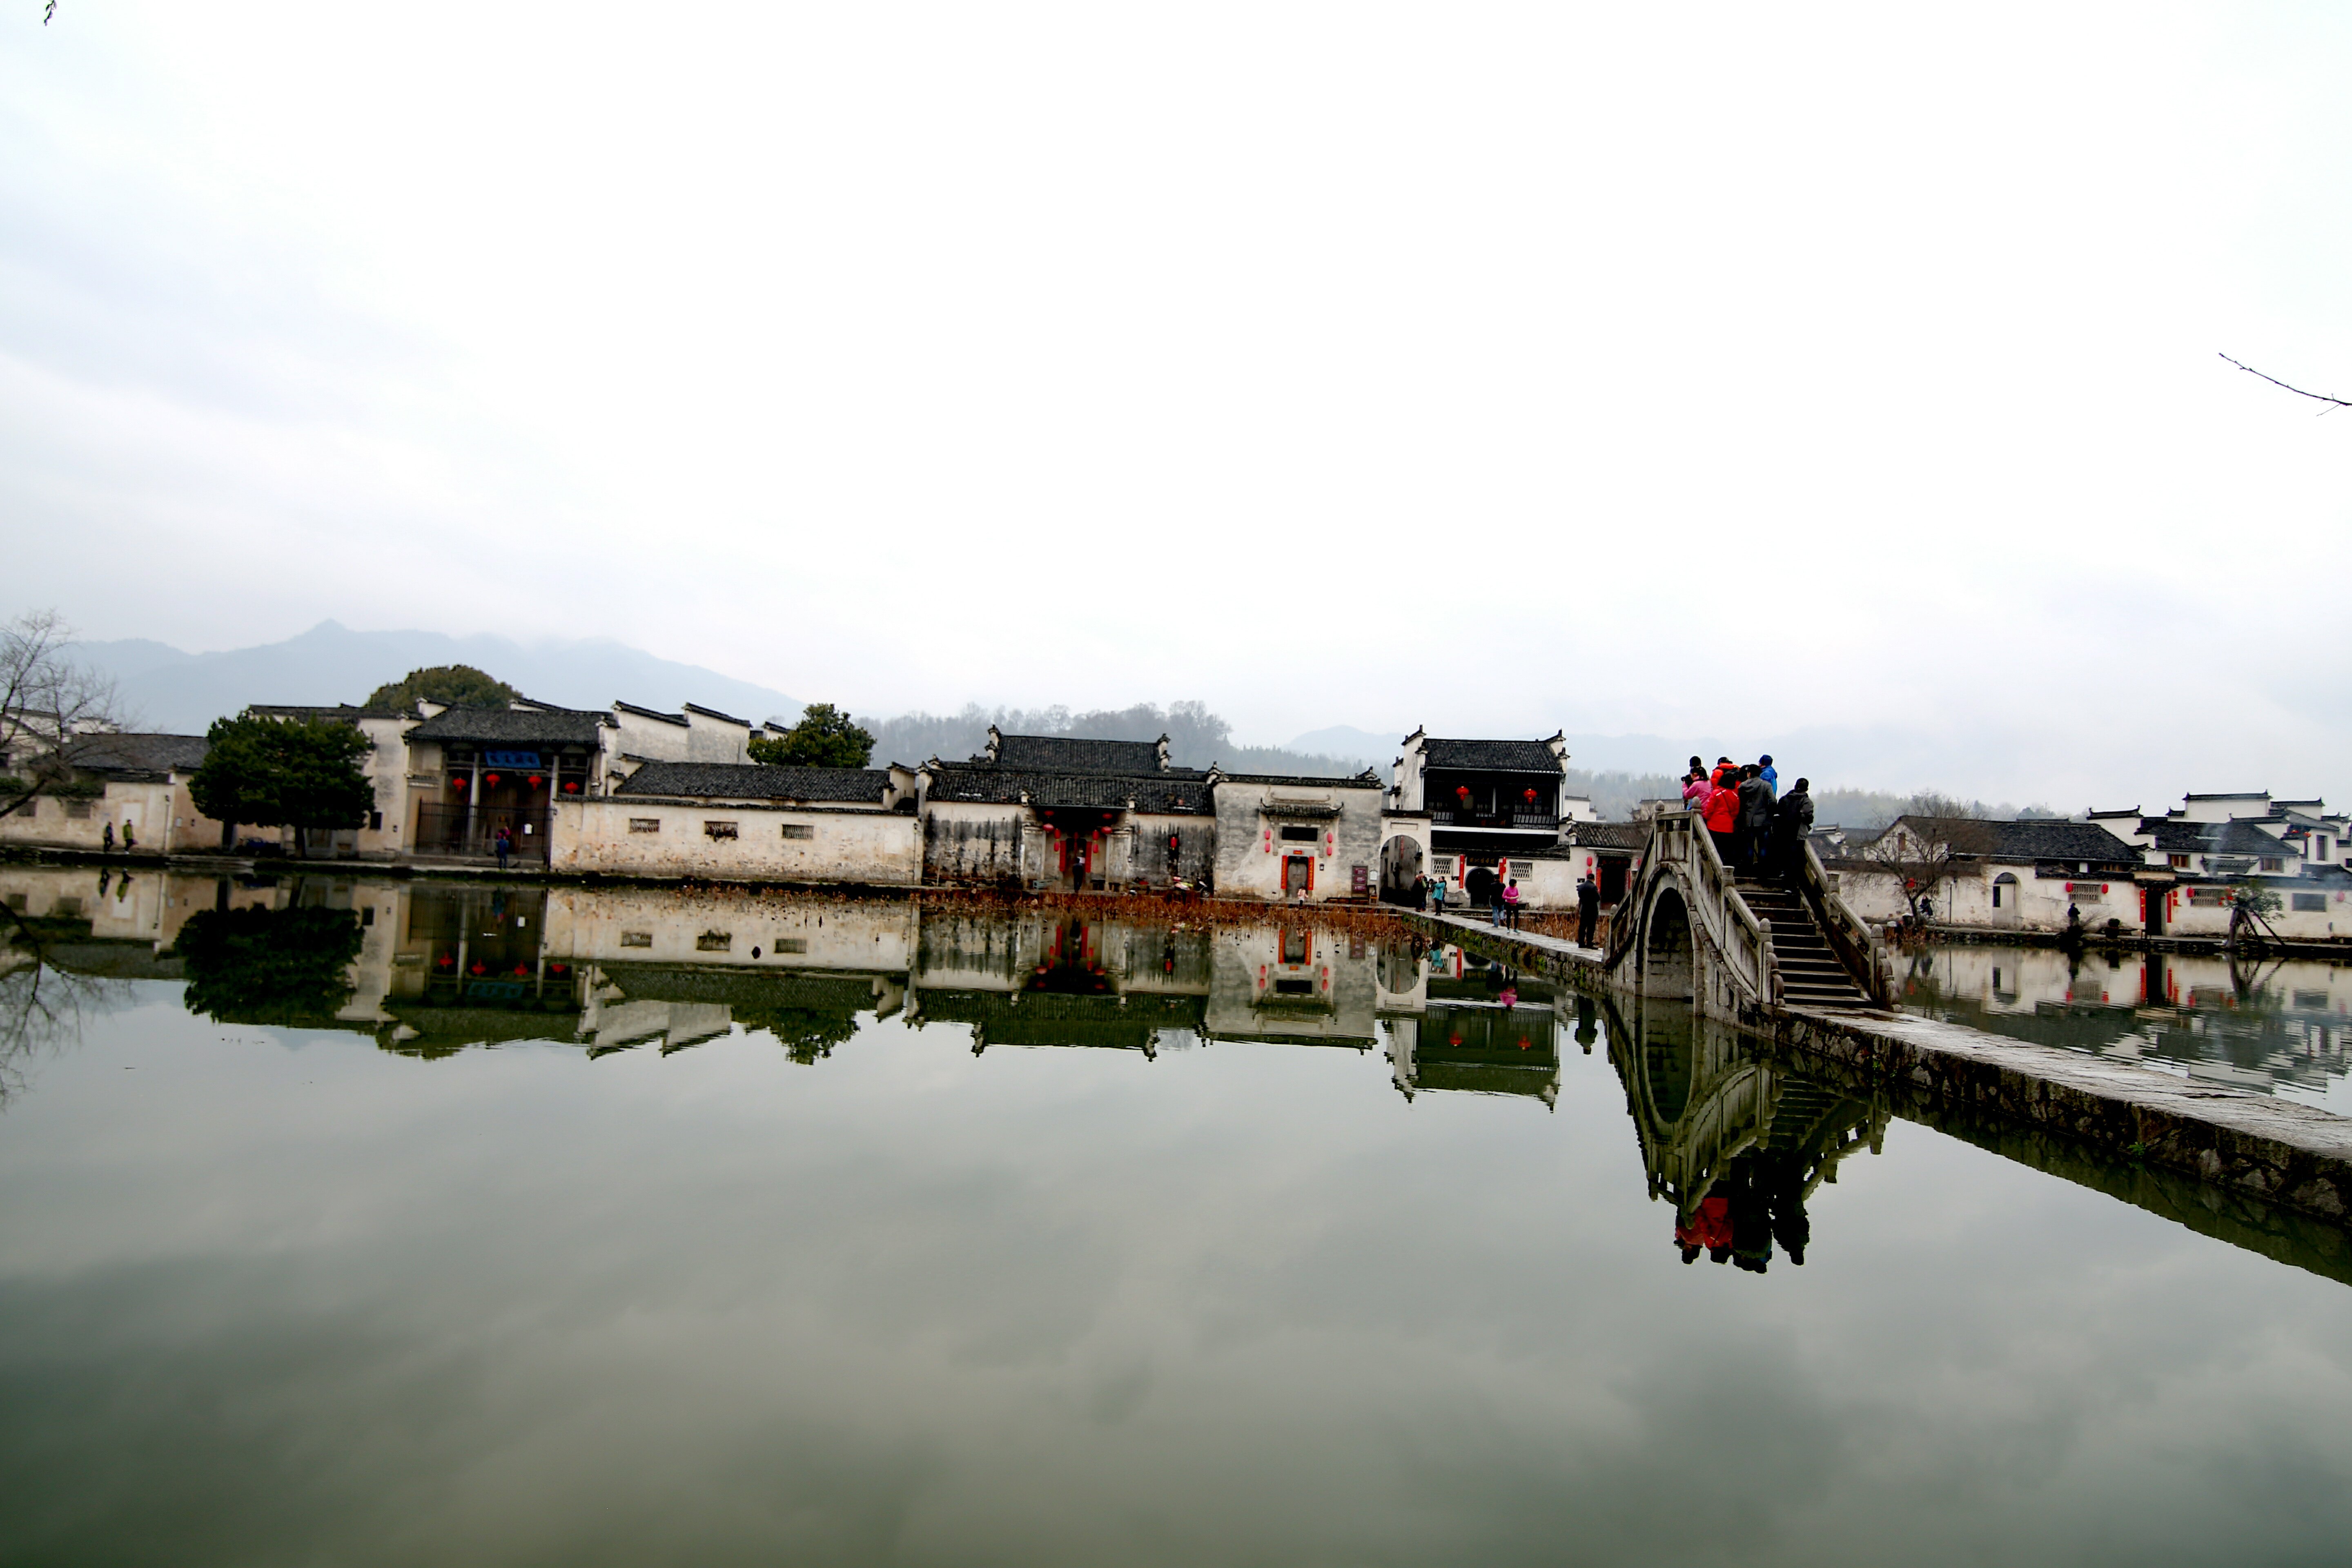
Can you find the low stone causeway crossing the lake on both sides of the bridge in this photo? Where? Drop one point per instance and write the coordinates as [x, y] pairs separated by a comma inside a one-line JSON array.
[[2243, 1144]]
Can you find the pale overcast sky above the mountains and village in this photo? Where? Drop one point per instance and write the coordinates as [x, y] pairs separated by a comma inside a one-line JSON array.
[[1704, 370]]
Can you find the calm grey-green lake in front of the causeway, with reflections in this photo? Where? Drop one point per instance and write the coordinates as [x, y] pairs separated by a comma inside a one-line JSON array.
[[394, 1224]]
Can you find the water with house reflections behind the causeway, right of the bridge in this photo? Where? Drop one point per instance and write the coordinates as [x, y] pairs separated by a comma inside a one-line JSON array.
[[2250, 1026]]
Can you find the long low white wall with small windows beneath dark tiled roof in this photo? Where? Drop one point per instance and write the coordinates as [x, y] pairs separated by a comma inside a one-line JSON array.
[[862, 847]]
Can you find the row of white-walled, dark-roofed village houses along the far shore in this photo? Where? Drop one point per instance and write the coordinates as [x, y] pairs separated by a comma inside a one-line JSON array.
[[634, 791]]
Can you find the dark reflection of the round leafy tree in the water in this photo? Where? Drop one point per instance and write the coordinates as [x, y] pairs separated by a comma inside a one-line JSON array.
[[286, 967]]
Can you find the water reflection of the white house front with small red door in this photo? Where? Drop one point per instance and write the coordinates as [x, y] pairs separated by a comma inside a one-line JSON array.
[[1292, 984]]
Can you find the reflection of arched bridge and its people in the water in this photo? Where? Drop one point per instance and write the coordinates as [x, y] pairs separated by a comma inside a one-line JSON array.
[[1732, 1141]]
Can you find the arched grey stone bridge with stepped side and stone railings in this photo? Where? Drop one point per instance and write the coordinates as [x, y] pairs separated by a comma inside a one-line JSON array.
[[1735, 946]]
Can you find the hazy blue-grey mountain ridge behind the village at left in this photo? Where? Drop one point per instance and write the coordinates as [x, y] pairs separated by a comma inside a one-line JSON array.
[[178, 692]]
